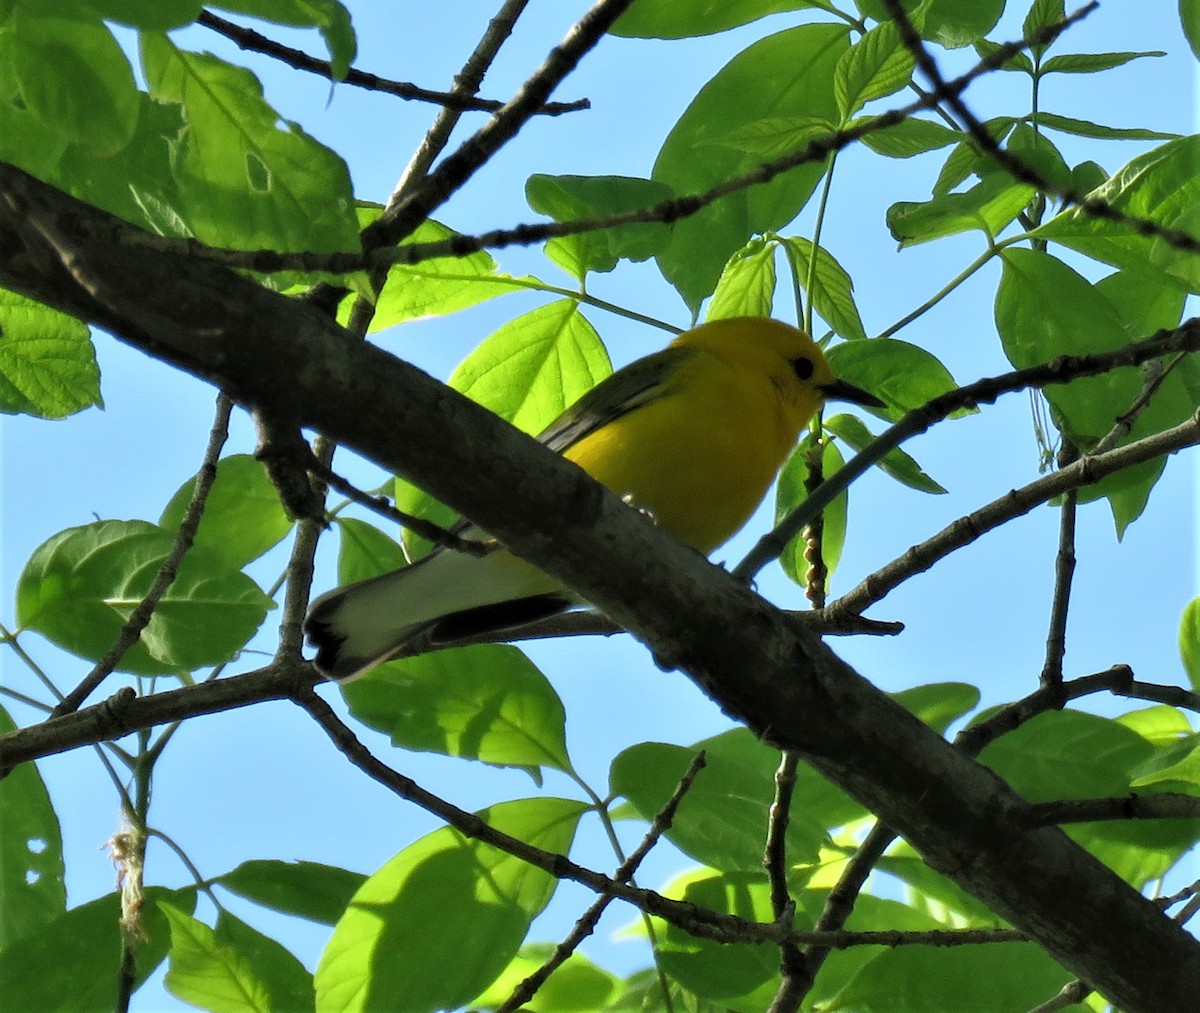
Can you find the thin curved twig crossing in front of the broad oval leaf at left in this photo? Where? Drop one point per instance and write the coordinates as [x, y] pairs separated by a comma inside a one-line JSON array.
[[140, 619]]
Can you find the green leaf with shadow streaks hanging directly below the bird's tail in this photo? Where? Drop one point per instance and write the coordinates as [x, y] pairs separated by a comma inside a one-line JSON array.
[[487, 703]]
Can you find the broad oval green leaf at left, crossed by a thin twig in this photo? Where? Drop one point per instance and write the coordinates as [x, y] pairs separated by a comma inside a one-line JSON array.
[[81, 586]]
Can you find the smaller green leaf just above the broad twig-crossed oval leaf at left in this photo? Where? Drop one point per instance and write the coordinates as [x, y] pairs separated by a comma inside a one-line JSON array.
[[243, 517]]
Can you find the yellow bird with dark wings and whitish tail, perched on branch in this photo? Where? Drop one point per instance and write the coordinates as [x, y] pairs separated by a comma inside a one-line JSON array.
[[693, 435]]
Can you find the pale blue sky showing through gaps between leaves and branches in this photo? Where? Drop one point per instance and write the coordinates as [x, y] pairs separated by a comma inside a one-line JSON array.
[[266, 782]]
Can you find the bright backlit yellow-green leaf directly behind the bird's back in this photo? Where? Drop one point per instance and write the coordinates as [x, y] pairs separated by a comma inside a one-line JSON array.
[[533, 368]]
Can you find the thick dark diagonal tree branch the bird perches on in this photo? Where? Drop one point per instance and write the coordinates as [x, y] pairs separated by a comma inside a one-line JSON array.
[[769, 672]]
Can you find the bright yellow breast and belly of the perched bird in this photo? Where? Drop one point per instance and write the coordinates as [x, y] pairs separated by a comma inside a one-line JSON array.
[[701, 457]]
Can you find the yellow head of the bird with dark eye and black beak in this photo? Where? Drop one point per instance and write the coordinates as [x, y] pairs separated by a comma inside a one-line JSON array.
[[793, 361]]
